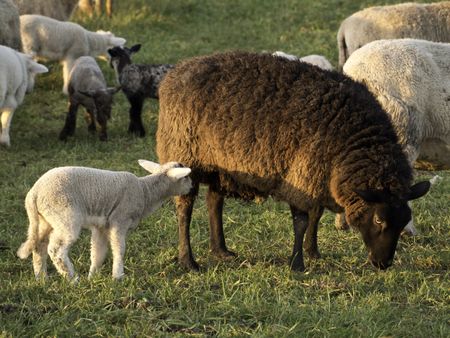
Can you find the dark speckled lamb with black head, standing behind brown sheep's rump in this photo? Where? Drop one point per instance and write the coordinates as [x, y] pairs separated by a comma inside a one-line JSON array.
[[138, 81]]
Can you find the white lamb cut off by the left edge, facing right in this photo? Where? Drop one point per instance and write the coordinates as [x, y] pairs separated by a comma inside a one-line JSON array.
[[17, 72]]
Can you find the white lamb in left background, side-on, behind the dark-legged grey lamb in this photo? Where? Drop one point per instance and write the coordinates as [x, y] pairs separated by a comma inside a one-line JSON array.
[[53, 40]]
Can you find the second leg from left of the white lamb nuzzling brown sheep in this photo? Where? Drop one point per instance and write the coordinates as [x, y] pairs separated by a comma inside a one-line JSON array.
[[58, 249]]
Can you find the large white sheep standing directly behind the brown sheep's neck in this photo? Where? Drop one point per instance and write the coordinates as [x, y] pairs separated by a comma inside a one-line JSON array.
[[411, 80]]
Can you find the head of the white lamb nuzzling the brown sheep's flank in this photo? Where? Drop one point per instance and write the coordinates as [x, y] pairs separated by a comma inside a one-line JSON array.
[[180, 182]]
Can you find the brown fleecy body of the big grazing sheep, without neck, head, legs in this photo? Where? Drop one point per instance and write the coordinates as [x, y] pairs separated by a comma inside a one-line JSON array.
[[263, 120]]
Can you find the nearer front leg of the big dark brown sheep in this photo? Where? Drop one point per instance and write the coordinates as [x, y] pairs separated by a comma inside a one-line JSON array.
[[300, 222]]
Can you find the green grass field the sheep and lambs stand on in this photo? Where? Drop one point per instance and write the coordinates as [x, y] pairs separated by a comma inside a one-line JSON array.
[[256, 294]]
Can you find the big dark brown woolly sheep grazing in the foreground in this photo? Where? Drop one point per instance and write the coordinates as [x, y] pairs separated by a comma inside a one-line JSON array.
[[257, 125]]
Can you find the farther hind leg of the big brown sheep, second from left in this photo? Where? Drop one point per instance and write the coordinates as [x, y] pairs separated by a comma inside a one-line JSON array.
[[216, 237]]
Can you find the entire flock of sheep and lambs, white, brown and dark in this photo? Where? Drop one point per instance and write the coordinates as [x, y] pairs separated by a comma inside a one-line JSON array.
[[247, 125]]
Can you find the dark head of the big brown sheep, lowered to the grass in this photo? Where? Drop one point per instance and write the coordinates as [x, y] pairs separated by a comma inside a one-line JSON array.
[[382, 219]]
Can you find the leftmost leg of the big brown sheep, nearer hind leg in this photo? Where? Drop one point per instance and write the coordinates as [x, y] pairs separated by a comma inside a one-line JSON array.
[[184, 205]]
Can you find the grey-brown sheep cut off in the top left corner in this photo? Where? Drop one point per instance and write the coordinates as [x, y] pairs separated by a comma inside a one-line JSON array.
[[10, 25]]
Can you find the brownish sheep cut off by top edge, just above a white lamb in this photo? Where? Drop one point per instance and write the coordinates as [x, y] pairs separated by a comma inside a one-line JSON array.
[[56, 9]]
